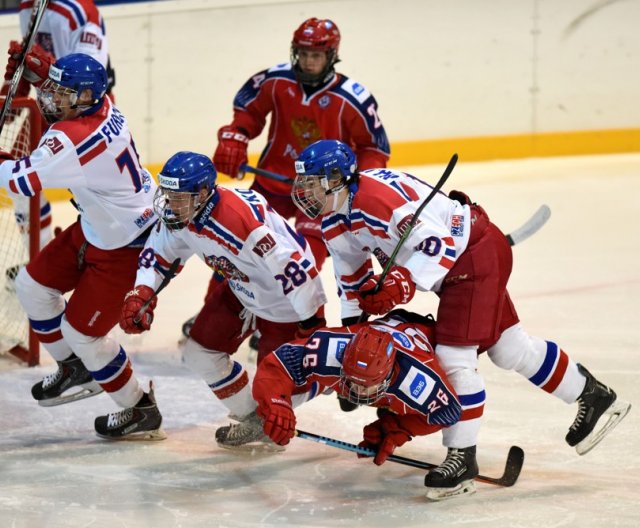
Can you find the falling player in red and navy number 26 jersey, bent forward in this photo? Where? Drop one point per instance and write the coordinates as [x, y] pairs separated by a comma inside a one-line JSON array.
[[388, 363]]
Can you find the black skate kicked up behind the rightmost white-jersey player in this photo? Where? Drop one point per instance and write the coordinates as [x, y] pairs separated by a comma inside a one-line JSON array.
[[596, 404]]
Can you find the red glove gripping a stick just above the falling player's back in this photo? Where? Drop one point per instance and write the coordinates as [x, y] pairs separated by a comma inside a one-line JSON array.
[[397, 288]]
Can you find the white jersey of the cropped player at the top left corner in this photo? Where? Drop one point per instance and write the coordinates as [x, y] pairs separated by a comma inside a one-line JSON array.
[[69, 26]]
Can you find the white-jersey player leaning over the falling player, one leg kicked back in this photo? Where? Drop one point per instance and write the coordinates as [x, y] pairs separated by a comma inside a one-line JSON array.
[[457, 252]]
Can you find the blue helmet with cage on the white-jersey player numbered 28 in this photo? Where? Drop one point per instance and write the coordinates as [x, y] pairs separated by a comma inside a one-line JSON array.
[[186, 182]]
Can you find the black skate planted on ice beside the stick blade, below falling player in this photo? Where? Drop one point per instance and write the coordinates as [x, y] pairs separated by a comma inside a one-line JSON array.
[[454, 476]]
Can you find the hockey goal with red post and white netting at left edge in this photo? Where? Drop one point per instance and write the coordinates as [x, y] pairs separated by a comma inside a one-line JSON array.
[[20, 135]]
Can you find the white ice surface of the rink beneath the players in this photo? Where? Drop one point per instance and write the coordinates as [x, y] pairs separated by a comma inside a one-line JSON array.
[[576, 282]]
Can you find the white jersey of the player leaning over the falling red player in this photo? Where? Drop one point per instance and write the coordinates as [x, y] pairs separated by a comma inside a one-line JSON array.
[[372, 223]]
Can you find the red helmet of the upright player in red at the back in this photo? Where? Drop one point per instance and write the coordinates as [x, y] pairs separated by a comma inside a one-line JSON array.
[[315, 34]]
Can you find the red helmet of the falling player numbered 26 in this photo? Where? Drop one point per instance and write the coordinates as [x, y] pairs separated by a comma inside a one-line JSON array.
[[367, 365]]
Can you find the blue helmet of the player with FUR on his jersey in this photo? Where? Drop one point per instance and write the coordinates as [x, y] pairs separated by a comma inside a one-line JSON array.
[[68, 78]]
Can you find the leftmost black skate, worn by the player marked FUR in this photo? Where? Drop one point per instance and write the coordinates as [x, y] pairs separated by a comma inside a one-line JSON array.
[[52, 390]]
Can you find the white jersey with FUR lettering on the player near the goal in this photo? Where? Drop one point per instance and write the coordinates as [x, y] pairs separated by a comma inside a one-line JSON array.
[[95, 158]]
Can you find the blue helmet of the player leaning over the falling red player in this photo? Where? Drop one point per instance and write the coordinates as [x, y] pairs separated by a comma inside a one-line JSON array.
[[322, 169]]
